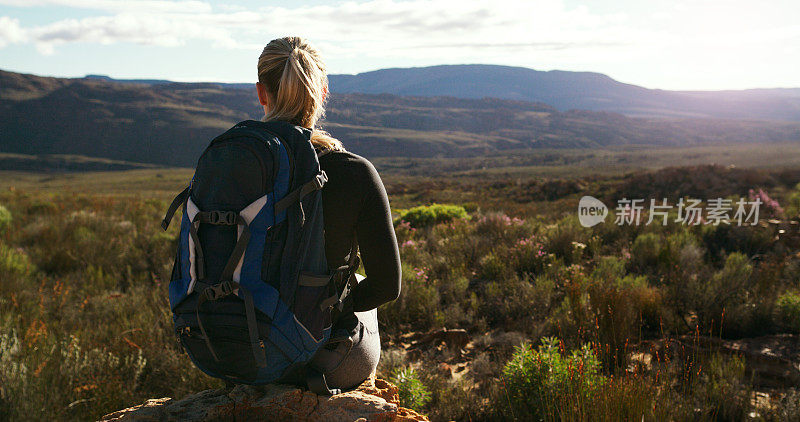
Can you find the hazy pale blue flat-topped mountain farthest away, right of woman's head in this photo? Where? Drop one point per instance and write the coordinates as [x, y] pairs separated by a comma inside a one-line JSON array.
[[572, 90]]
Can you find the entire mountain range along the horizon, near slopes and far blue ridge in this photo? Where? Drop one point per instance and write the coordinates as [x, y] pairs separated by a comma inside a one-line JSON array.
[[167, 123]]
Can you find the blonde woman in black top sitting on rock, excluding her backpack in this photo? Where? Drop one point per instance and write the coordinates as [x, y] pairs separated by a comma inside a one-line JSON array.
[[292, 86]]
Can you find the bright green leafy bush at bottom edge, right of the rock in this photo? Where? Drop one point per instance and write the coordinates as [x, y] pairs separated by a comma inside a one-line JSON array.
[[545, 383]]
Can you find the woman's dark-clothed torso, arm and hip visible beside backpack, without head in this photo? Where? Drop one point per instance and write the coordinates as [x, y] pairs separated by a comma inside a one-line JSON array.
[[355, 204]]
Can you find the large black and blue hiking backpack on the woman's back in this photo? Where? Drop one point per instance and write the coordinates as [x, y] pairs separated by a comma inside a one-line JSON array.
[[251, 293]]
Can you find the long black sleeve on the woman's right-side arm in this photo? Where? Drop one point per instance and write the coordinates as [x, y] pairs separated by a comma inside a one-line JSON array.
[[378, 247]]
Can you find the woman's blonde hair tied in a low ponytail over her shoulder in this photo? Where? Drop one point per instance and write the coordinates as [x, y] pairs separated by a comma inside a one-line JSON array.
[[296, 81]]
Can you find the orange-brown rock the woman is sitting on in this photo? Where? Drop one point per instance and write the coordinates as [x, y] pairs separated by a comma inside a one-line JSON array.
[[374, 400]]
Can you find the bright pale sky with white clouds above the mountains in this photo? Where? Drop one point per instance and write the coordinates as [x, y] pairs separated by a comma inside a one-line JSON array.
[[667, 44]]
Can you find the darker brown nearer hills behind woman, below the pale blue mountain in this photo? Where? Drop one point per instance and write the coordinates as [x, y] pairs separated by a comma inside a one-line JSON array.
[[170, 123]]
